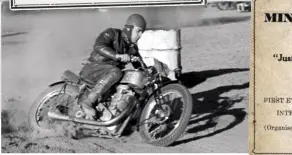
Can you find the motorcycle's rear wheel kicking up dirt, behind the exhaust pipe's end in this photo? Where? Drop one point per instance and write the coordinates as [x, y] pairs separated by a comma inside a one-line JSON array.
[[57, 95]]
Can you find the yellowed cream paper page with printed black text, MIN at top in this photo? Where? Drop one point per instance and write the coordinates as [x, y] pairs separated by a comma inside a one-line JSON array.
[[270, 102]]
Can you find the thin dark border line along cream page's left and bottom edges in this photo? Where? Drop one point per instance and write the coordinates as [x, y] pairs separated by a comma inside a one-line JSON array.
[[254, 87]]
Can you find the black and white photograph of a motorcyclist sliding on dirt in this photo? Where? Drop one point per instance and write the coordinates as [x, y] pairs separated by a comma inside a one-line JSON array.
[[146, 79]]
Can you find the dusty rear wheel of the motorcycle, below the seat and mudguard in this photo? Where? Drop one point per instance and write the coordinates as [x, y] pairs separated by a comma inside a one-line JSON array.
[[41, 105]]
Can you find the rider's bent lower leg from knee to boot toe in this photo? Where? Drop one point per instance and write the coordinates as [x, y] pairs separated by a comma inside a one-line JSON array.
[[108, 78]]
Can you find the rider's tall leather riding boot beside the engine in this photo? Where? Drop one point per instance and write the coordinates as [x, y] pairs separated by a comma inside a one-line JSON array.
[[96, 94]]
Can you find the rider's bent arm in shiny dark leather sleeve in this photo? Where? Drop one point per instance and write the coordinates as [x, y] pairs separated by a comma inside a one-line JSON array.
[[104, 42]]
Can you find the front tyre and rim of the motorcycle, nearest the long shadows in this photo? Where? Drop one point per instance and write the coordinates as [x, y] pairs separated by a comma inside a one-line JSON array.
[[179, 129]]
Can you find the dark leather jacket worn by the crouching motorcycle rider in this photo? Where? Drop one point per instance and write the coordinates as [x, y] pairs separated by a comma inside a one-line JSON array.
[[109, 43]]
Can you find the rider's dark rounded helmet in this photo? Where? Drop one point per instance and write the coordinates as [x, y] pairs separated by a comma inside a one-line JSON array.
[[136, 20]]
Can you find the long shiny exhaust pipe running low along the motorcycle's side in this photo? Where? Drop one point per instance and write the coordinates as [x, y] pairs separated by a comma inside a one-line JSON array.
[[112, 122]]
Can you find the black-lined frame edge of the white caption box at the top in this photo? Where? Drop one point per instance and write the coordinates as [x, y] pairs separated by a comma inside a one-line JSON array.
[[14, 6]]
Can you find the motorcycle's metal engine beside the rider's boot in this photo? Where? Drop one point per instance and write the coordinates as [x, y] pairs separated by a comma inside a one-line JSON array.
[[119, 102]]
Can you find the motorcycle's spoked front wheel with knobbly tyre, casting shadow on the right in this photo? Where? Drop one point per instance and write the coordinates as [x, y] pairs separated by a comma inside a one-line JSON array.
[[161, 125]]
